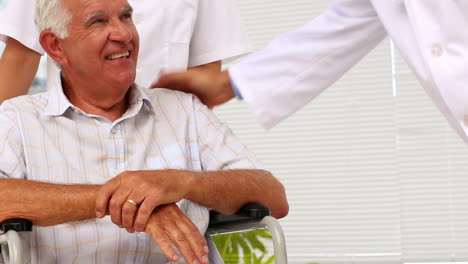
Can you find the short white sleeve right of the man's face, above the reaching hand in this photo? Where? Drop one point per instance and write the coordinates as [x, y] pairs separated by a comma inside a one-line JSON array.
[[218, 33]]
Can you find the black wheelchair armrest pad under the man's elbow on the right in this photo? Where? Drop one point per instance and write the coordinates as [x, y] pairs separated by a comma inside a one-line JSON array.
[[248, 213]]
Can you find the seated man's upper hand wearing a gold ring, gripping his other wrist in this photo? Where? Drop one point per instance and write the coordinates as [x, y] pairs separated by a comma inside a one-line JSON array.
[[148, 189]]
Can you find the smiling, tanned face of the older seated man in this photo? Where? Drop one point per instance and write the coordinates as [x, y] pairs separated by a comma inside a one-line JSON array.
[[100, 54]]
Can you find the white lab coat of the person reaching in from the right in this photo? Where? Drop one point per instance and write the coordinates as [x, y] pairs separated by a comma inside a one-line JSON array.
[[431, 35]]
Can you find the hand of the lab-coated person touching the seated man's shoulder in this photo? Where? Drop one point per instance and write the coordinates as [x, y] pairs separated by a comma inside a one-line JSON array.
[[213, 88]]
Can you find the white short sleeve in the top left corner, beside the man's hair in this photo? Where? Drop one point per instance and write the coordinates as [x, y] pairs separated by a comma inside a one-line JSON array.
[[17, 21]]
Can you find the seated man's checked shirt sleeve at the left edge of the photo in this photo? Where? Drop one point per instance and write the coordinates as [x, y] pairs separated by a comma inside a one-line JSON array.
[[12, 162]]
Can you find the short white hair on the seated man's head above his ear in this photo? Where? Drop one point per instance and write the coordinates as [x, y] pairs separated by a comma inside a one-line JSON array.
[[51, 14]]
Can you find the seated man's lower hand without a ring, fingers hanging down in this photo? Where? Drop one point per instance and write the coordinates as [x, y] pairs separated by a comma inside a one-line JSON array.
[[169, 225]]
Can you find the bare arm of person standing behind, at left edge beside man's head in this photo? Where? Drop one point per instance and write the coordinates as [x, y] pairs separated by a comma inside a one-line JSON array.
[[18, 67]]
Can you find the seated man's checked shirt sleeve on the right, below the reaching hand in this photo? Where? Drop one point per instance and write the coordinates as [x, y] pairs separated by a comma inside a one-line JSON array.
[[220, 149]]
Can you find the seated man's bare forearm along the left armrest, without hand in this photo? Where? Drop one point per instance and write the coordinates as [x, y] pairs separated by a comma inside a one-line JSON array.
[[46, 204]]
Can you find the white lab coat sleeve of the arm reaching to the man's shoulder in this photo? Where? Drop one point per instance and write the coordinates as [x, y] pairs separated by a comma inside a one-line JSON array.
[[295, 67]]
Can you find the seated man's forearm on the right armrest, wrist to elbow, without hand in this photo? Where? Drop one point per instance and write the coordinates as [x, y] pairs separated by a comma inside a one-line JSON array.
[[227, 191]]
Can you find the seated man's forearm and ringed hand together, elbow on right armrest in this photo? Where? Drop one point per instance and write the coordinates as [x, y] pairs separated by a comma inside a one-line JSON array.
[[223, 191]]
